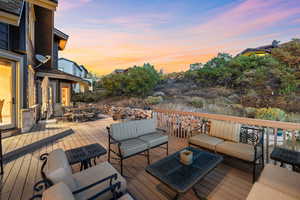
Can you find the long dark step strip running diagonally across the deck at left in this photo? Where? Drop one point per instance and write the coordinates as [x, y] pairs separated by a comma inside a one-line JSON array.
[[15, 154]]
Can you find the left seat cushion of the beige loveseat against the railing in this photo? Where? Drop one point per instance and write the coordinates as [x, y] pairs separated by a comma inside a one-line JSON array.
[[205, 141]]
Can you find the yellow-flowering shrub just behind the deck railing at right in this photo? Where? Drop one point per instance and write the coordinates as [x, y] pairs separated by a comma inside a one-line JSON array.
[[275, 114]]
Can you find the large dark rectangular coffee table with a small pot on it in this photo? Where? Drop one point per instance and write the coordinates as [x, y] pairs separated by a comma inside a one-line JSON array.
[[181, 178]]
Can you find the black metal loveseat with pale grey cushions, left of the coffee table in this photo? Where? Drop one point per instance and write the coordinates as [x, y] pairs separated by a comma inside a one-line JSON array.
[[130, 138]]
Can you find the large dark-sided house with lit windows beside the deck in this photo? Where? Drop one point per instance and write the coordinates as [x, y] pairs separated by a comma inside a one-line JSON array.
[[27, 29]]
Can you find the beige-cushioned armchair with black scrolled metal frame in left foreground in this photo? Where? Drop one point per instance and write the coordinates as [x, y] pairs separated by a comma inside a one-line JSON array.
[[92, 182]]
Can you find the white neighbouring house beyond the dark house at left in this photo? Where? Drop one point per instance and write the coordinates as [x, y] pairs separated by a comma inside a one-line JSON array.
[[71, 67]]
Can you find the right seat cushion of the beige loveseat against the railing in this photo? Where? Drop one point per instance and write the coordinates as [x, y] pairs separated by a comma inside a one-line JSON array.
[[237, 150]]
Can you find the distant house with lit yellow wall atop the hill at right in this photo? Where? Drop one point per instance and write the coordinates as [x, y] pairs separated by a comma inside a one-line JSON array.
[[261, 50]]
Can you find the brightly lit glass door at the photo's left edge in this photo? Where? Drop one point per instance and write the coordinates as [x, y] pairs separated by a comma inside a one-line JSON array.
[[7, 94]]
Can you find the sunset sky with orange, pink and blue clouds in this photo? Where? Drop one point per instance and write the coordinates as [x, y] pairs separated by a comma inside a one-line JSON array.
[[171, 34]]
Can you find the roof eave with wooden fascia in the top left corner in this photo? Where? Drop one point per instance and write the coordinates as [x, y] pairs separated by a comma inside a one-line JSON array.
[[10, 11]]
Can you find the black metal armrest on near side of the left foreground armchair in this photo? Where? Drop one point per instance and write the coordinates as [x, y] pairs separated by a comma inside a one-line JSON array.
[[112, 187]]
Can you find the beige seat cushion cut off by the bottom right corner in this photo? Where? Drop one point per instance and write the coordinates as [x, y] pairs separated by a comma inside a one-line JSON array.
[[276, 183]]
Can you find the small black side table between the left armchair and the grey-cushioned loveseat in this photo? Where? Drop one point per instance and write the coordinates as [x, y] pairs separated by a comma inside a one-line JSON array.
[[84, 155]]
